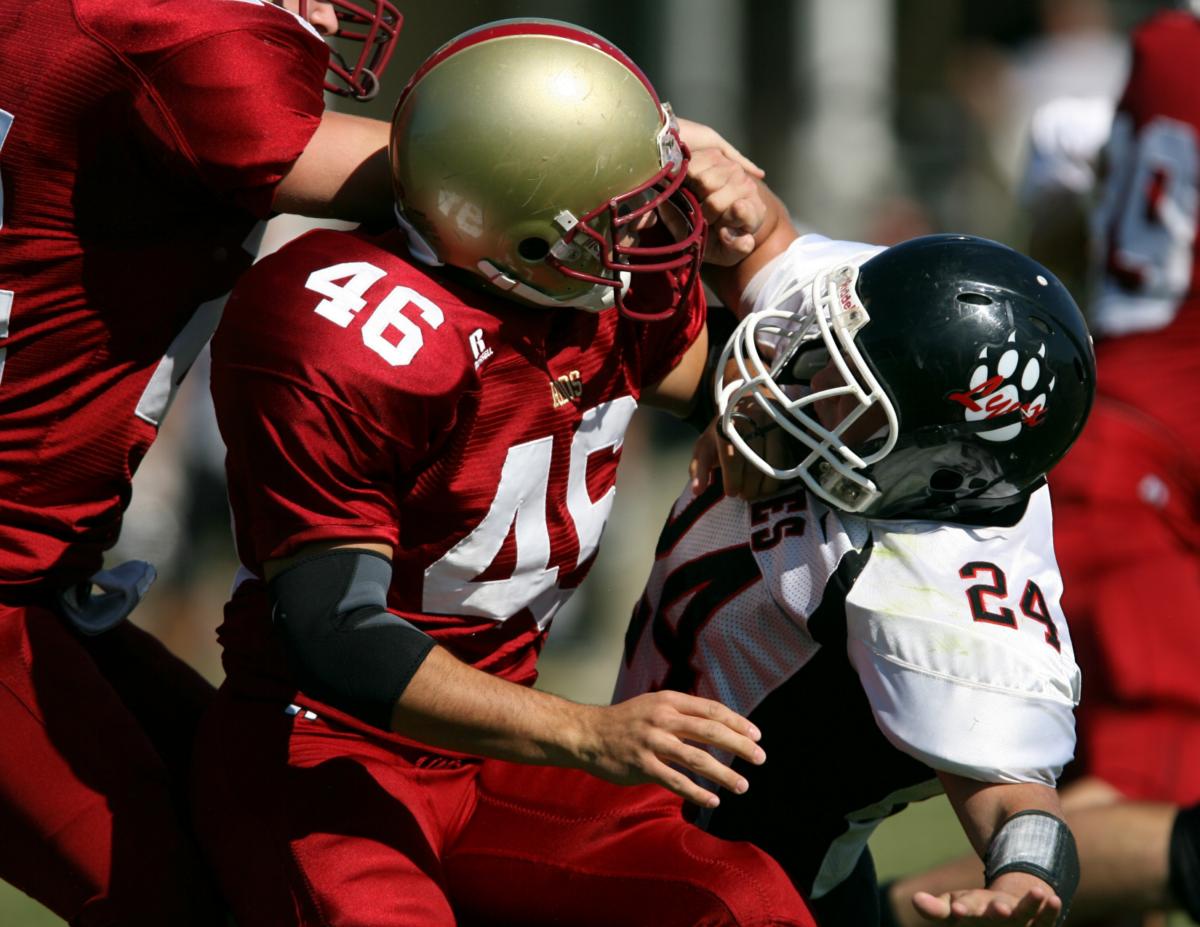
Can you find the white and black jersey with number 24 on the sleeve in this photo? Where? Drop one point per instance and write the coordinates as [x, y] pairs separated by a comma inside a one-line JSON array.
[[869, 653]]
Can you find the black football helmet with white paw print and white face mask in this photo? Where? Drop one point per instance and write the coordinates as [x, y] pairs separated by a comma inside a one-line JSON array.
[[977, 357]]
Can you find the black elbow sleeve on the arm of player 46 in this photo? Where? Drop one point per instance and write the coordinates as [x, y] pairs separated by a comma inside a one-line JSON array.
[[341, 643]]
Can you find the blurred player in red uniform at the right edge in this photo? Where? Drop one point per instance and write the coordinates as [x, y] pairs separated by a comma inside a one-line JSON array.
[[1127, 530]]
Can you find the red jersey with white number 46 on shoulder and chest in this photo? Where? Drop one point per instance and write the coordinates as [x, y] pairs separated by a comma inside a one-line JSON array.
[[367, 398]]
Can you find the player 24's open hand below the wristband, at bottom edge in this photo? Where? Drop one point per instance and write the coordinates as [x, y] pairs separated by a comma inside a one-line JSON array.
[[1016, 899]]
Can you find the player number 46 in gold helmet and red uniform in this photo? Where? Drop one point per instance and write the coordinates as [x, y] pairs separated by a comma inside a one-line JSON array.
[[423, 446]]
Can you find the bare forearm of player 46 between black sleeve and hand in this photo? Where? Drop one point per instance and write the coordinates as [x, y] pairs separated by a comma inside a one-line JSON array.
[[452, 705]]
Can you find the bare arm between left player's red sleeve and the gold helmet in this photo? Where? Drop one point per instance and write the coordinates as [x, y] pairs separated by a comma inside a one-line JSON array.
[[344, 174]]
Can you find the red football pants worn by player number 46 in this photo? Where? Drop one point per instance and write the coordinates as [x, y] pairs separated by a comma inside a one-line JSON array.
[[313, 822]]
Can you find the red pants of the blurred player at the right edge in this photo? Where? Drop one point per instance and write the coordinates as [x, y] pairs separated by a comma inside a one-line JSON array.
[[1127, 541]]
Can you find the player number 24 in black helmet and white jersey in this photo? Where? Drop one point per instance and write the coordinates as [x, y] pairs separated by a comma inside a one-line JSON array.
[[891, 618]]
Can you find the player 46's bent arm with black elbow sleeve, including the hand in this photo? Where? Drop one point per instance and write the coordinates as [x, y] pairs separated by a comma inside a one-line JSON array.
[[345, 648]]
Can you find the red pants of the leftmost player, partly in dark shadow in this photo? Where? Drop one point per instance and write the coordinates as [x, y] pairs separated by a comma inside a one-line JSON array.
[[88, 826]]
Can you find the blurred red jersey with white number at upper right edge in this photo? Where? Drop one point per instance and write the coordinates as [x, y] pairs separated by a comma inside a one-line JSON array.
[[1147, 225]]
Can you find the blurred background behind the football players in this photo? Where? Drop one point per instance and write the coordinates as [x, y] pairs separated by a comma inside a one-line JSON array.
[[877, 121]]
